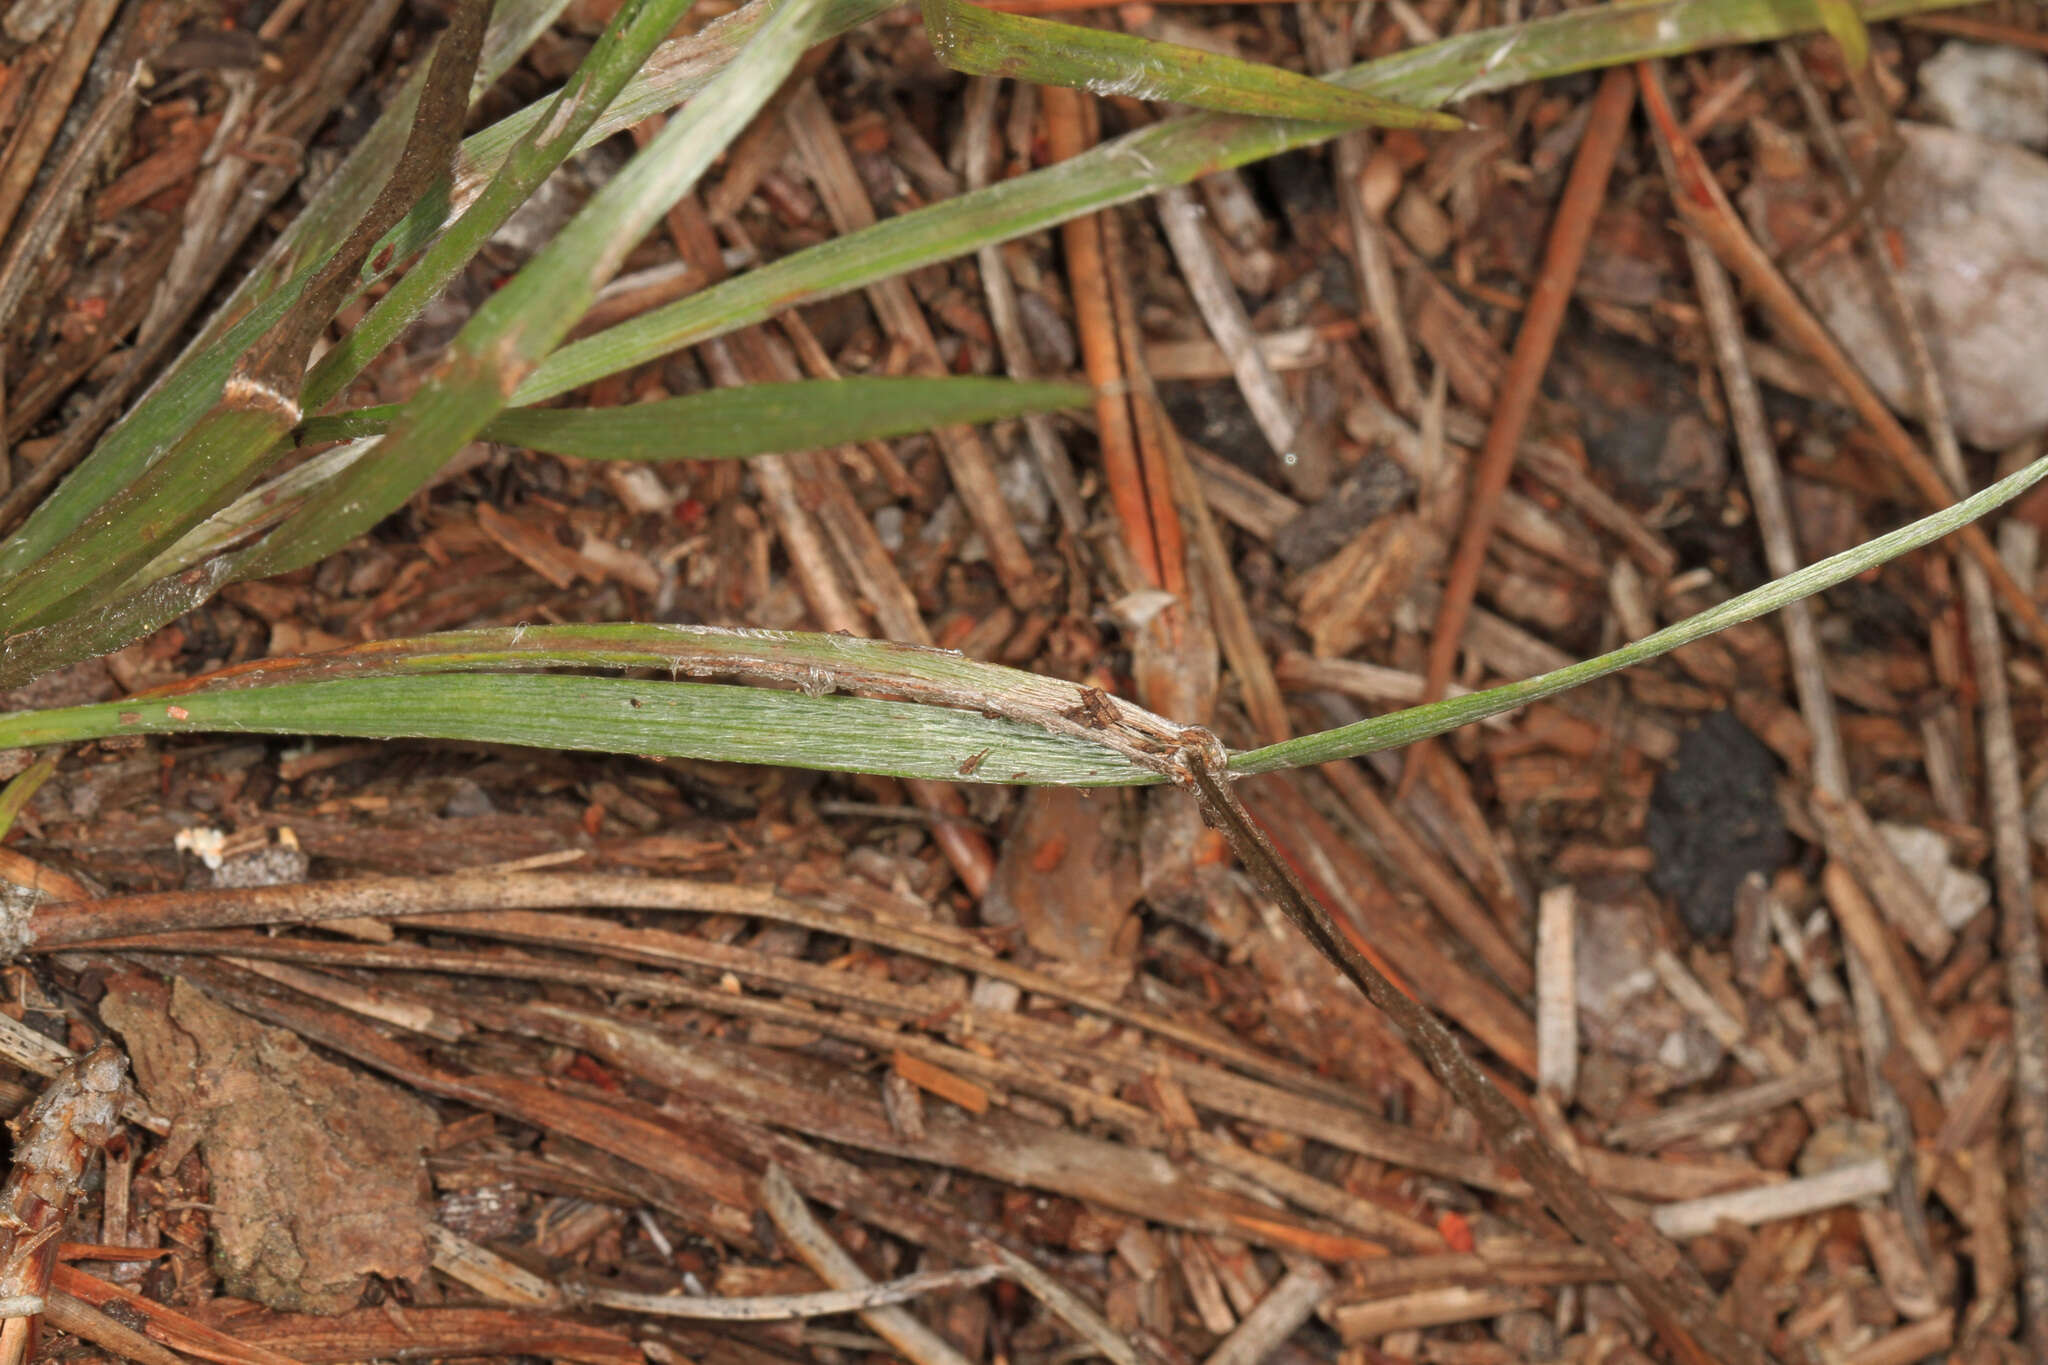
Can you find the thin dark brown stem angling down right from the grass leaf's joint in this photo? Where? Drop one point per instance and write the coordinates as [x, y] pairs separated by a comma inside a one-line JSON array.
[[1654, 1270]]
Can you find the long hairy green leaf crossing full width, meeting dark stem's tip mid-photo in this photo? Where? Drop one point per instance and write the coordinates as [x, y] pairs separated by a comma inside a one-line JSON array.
[[456, 689]]
